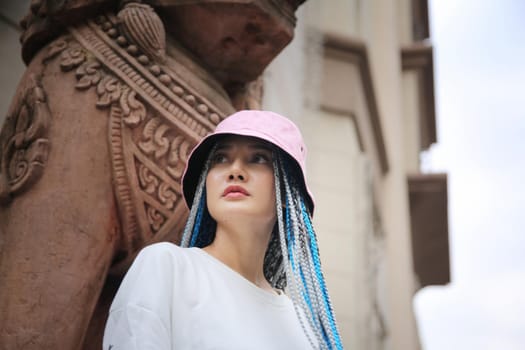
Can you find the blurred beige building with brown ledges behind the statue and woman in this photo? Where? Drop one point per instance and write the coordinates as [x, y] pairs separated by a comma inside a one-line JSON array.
[[358, 79]]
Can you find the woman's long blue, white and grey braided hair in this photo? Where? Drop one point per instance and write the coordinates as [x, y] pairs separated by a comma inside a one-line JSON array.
[[292, 258]]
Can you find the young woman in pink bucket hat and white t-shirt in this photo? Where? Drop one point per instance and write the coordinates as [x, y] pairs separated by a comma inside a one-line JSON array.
[[250, 236]]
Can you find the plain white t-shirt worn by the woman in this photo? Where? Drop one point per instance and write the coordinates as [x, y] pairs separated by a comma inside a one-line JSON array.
[[183, 298]]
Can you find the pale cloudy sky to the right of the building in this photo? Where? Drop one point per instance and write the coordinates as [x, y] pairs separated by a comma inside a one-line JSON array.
[[479, 58]]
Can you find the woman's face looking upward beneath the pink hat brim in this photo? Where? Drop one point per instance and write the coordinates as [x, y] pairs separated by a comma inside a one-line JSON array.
[[240, 181]]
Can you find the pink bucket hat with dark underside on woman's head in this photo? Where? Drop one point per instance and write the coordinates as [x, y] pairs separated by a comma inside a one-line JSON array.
[[265, 125]]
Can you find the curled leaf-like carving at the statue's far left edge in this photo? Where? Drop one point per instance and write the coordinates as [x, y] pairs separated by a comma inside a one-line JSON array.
[[23, 143]]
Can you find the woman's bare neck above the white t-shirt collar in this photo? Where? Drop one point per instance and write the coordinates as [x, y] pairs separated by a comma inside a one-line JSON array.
[[242, 248]]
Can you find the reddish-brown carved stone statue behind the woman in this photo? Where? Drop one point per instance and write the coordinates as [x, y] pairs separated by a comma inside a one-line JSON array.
[[114, 97]]
